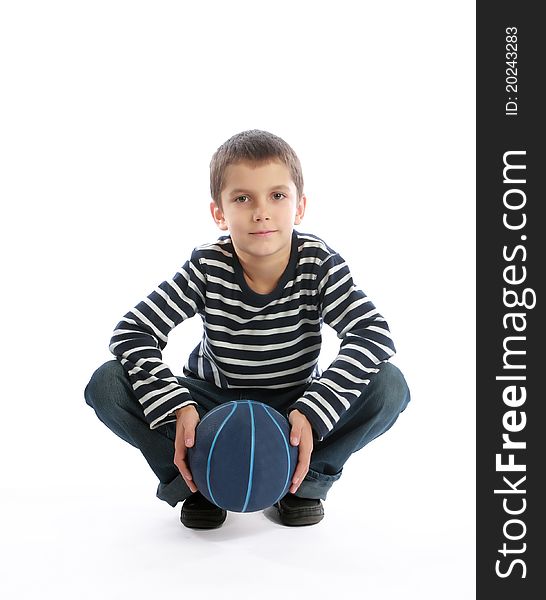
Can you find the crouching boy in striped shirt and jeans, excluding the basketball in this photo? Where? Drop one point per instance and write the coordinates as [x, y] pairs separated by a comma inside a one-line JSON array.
[[262, 292]]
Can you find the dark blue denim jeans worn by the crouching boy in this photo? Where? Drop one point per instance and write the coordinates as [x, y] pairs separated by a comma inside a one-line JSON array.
[[110, 394]]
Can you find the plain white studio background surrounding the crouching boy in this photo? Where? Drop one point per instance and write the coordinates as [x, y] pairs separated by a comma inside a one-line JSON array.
[[110, 113]]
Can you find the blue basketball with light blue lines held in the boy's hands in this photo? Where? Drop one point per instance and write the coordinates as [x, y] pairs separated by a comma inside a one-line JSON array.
[[242, 459]]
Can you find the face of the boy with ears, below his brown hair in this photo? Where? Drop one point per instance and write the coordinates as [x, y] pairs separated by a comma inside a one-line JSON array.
[[259, 208]]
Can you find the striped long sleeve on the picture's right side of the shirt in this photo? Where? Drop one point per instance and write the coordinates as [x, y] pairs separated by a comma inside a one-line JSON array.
[[365, 344]]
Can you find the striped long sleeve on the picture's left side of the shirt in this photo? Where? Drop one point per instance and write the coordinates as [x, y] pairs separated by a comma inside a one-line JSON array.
[[142, 334]]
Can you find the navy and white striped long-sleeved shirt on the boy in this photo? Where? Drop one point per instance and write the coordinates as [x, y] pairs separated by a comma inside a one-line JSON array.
[[252, 340]]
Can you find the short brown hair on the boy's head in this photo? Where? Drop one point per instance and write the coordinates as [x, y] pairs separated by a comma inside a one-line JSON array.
[[255, 146]]
